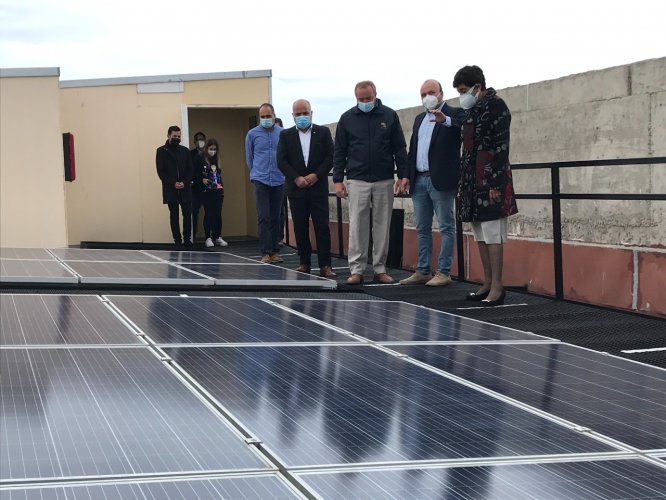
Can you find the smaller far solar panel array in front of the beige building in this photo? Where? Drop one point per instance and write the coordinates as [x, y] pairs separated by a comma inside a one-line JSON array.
[[141, 267]]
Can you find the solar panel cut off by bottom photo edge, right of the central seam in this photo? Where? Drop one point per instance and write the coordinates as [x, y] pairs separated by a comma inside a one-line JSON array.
[[626, 479]]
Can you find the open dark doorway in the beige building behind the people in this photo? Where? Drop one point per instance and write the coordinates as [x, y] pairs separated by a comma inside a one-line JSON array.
[[229, 126]]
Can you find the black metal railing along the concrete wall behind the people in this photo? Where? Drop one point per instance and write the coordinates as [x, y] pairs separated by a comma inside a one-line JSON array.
[[556, 196]]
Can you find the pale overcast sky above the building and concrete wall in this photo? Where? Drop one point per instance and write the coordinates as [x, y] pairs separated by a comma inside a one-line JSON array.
[[319, 50]]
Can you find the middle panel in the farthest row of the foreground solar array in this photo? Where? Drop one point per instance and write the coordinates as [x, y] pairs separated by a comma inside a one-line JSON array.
[[207, 320]]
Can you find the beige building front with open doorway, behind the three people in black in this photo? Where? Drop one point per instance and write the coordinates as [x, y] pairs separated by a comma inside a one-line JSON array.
[[118, 125]]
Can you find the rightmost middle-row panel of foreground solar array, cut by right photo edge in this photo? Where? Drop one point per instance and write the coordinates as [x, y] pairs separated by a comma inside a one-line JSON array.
[[618, 398]]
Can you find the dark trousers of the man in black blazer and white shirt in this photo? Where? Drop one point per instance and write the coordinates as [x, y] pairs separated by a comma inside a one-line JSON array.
[[301, 211]]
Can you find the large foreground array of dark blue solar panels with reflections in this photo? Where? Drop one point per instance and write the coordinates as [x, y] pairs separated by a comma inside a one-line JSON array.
[[118, 396]]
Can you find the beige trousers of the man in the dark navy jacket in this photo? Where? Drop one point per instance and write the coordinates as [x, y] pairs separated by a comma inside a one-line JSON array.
[[366, 198]]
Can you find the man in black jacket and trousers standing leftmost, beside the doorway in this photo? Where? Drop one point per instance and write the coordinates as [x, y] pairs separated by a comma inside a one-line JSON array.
[[174, 167]]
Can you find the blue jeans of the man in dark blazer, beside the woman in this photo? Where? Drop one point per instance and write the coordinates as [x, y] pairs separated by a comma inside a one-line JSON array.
[[428, 201]]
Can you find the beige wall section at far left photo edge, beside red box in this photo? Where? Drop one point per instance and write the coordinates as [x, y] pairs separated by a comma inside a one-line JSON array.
[[32, 193]]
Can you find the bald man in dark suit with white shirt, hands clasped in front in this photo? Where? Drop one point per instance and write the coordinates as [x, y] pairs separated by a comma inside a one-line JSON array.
[[305, 157]]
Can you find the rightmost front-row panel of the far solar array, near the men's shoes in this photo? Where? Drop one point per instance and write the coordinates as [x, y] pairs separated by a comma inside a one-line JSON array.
[[259, 274]]
